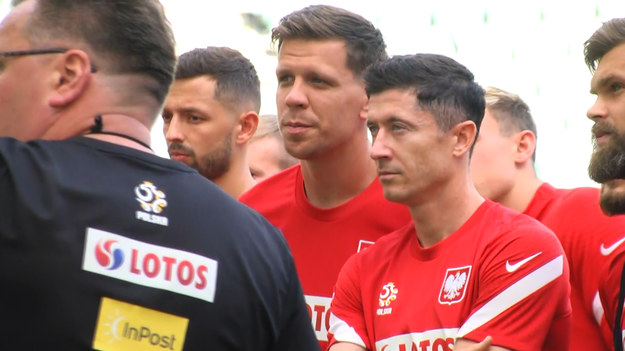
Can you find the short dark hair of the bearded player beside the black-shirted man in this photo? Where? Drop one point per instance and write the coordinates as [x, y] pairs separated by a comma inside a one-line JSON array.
[[236, 80]]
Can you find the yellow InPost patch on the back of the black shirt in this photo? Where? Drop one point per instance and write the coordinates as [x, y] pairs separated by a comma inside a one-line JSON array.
[[126, 327]]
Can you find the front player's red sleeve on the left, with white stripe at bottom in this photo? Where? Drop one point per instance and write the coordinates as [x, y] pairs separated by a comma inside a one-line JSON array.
[[347, 320]]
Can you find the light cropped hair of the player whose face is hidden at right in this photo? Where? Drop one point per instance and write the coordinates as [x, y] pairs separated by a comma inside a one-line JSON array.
[[511, 112]]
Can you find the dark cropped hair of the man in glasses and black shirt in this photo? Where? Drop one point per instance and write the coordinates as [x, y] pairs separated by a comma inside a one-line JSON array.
[[124, 37]]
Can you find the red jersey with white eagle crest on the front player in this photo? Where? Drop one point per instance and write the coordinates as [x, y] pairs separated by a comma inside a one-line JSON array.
[[501, 274]]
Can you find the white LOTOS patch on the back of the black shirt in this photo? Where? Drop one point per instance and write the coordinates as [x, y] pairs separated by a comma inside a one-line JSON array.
[[154, 266]]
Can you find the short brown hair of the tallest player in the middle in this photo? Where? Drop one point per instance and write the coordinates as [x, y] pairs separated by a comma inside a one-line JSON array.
[[364, 43]]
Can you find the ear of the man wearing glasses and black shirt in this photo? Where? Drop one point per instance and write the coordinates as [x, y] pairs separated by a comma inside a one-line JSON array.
[[72, 76]]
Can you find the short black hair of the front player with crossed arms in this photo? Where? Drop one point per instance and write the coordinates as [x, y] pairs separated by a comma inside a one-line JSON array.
[[442, 86]]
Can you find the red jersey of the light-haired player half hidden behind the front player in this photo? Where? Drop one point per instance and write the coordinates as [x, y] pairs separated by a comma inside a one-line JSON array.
[[589, 239]]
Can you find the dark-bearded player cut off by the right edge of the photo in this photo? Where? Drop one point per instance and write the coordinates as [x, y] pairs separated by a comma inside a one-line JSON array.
[[604, 53]]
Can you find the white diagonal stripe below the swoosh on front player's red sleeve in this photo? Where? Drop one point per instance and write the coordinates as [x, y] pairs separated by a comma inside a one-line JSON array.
[[513, 294]]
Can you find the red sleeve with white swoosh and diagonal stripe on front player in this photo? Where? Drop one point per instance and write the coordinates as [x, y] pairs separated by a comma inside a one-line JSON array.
[[523, 299]]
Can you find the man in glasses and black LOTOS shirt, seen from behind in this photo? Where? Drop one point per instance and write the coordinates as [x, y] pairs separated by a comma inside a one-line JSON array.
[[103, 244]]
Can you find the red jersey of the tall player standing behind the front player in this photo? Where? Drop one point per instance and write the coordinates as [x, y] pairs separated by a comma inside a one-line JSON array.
[[321, 240]]
